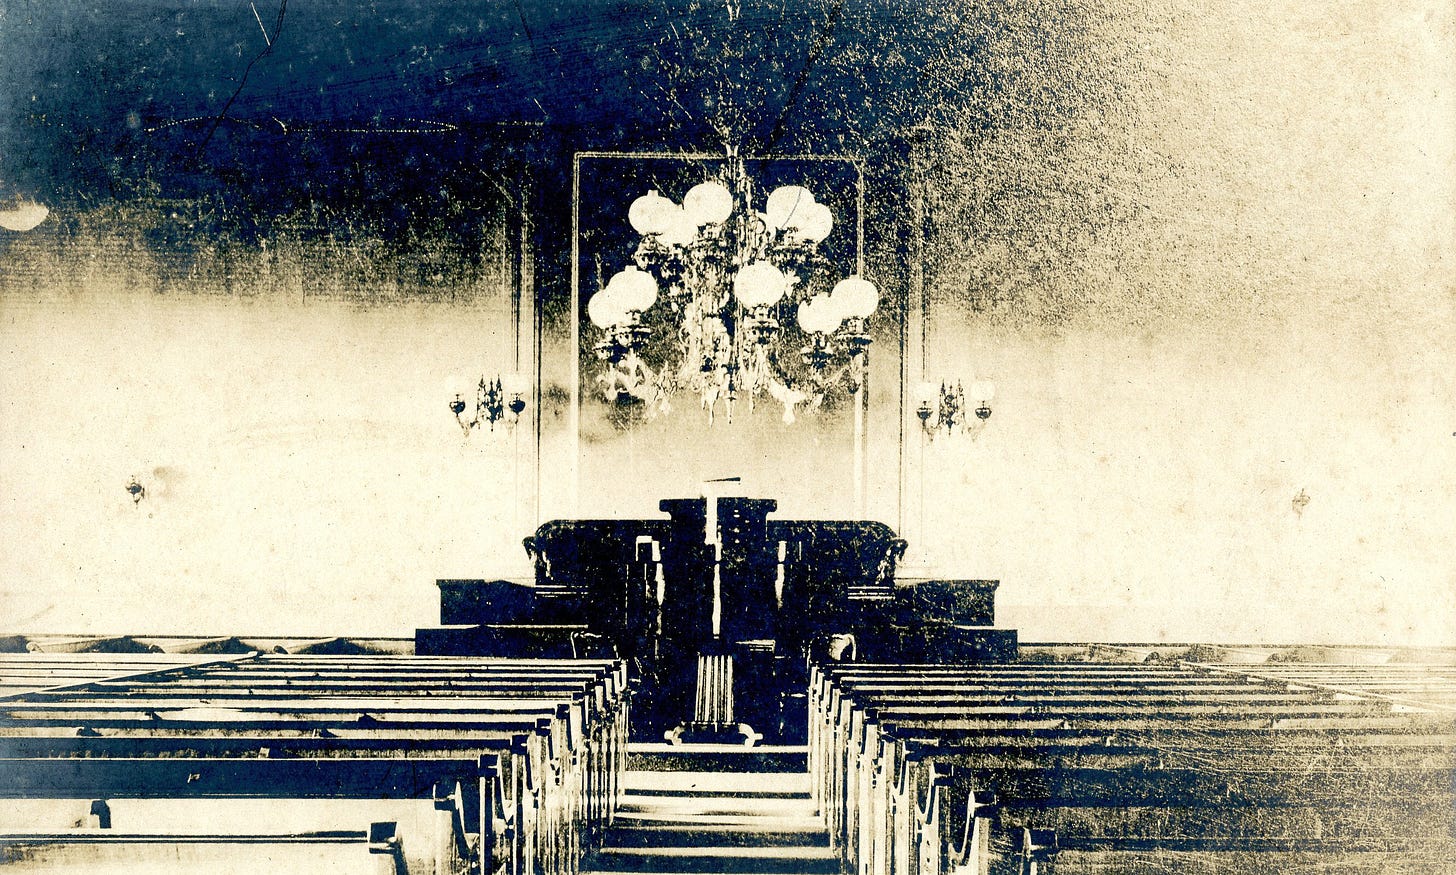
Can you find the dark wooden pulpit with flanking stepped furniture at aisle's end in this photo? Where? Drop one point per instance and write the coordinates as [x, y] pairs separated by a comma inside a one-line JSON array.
[[717, 609]]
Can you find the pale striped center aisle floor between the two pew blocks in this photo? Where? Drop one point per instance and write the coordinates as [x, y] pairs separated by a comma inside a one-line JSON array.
[[735, 819]]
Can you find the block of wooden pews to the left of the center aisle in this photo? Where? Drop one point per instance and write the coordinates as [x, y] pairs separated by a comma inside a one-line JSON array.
[[512, 765]]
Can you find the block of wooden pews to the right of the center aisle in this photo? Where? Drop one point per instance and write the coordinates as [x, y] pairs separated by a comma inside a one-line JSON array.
[[1110, 768]]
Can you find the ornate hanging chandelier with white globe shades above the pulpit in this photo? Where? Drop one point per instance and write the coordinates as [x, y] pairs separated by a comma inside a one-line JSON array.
[[730, 302]]
